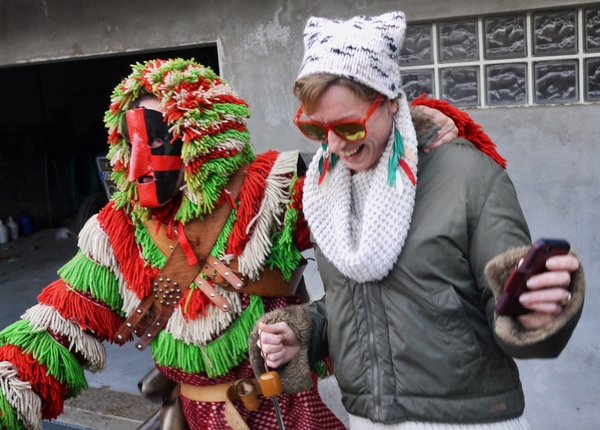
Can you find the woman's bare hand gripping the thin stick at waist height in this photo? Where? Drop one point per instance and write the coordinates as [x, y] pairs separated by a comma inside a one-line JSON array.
[[278, 343]]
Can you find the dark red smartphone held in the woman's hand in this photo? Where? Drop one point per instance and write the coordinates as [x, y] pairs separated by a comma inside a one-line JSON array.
[[533, 263]]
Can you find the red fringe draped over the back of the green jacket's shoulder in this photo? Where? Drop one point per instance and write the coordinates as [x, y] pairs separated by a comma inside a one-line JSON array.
[[467, 128]]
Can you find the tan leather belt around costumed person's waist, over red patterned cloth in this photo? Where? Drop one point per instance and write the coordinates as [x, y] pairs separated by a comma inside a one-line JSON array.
[[244, 390]]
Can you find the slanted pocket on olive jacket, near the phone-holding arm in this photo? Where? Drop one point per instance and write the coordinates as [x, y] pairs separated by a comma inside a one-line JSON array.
[[452, 320]]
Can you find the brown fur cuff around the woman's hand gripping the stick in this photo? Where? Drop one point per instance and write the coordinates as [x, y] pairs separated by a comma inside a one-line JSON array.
[[295, 376]]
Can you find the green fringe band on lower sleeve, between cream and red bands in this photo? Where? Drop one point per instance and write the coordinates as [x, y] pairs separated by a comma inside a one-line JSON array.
[[61, 364]]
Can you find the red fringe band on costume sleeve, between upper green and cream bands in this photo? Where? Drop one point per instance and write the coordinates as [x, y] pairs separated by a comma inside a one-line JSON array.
[[83, 310]]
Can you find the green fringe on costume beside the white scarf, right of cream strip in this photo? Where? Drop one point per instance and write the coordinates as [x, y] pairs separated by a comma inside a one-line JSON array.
[[284, 253]]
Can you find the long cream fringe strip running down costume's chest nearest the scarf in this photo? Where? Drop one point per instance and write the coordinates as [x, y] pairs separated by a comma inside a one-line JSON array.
[[277, 194]]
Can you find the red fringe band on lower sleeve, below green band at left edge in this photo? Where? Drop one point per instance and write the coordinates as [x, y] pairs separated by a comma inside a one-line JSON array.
[[50, 390]]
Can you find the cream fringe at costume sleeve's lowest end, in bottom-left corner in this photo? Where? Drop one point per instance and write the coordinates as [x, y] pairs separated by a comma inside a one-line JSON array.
[[20, 396]]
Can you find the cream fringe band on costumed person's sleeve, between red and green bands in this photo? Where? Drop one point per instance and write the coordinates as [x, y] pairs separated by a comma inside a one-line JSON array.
[[44, 317]]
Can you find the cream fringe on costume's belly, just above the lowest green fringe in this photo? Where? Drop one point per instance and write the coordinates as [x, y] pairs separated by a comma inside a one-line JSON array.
[[202, 330]]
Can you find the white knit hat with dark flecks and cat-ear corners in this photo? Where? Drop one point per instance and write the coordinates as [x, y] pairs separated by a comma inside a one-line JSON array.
[[363, 48]]
